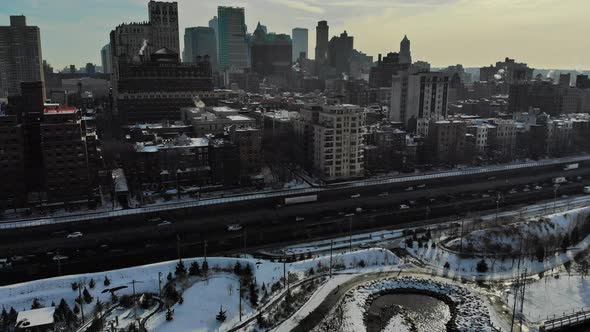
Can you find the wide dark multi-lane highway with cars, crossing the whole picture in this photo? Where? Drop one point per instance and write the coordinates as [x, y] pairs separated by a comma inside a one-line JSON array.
[[110, 244]]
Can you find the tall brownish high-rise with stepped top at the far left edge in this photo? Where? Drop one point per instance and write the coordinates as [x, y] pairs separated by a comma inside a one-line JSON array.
[[21, 59]]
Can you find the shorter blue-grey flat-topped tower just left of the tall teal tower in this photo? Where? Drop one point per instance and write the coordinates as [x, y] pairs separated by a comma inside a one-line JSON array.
[[198, 42]]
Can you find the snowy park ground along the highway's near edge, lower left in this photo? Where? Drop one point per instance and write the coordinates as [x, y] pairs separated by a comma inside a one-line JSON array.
[[202, 300]]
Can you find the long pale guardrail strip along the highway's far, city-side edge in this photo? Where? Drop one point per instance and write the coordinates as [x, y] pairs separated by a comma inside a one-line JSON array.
[[278, 193]]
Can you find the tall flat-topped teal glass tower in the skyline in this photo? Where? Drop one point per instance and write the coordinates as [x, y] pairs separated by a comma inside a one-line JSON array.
[[233, 52]]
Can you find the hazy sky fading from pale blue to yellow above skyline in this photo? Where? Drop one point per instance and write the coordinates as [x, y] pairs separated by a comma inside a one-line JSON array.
[[543, 33]]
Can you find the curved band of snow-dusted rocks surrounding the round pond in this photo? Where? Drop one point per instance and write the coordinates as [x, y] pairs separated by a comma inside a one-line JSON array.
[[471, 312]]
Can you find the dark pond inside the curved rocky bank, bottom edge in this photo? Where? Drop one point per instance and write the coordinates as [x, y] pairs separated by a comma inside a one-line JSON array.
[[427, 313]]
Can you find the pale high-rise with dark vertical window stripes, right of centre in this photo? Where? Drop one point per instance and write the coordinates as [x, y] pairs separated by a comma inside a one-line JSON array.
[[419, 96]]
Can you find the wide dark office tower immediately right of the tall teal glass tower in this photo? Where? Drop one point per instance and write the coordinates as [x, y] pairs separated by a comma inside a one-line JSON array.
[[271, 53]]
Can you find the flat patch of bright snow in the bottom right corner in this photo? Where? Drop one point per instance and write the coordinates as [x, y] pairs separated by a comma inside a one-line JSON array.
[[550, 296]]
